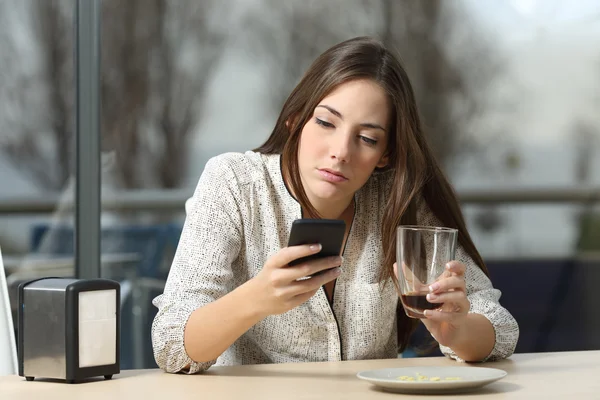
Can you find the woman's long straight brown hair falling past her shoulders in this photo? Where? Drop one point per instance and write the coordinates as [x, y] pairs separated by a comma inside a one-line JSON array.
[[416, 173]]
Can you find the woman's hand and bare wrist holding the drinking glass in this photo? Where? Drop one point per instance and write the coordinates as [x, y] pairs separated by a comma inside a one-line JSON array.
[[445, 323]]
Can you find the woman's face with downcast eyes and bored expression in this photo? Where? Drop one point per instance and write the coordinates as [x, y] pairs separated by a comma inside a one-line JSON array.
[[344, 141]]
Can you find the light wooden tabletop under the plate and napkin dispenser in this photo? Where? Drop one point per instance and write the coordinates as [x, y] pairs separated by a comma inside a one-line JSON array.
[[568, 375]]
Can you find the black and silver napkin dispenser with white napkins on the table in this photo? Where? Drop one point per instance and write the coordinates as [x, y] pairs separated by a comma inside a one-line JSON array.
[[69, 329]]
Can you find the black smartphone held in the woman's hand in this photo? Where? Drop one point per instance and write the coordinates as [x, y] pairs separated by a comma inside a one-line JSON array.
[[328, 232]]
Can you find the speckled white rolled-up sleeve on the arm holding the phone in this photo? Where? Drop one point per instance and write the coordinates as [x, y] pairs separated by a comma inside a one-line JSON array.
[[201, 272]]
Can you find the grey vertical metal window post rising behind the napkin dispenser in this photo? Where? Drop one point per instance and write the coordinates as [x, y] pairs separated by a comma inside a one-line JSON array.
[[87, 167]]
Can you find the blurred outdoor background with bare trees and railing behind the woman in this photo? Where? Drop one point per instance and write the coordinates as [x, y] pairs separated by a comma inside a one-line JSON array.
[[508, 90]]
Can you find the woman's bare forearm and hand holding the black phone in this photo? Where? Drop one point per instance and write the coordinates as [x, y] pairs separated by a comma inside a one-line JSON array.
[[213, 328]]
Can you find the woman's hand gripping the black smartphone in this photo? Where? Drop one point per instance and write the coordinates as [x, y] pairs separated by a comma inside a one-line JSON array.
[[278, 288]]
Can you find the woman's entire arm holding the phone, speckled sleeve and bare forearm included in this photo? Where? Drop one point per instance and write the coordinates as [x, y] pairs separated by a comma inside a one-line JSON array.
[[204, 309]]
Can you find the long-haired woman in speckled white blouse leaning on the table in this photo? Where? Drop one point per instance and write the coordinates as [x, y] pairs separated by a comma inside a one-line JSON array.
[[347, 145]]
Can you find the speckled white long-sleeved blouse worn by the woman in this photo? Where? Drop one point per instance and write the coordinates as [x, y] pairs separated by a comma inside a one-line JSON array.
[[241, 214]]
